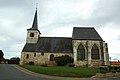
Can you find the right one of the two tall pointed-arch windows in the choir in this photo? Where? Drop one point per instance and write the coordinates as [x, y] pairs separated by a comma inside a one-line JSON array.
[[95, 52]]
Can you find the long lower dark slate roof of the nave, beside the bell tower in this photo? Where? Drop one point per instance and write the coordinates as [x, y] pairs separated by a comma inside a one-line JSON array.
[[50, 44]]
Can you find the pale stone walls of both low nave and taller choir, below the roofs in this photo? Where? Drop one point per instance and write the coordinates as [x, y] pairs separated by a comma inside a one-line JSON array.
[[44, 58]]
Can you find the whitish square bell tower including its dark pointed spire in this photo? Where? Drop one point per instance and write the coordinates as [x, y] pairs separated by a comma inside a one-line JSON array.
[[33, 33]]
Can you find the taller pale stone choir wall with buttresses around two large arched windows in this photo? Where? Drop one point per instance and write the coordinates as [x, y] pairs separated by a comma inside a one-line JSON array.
[[88, 44]]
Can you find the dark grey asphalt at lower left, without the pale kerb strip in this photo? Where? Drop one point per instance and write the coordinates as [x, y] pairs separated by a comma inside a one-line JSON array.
[[8, 72]]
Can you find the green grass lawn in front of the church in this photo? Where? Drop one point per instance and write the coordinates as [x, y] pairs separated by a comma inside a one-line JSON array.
[[63, 71]]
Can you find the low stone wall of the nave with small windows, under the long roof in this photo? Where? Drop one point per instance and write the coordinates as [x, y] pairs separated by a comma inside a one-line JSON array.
[[40, 58]]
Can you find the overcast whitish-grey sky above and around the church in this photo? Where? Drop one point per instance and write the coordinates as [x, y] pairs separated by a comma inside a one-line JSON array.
[[57, 18]]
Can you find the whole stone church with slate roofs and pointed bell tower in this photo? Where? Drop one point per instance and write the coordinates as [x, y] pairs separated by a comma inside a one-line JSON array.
[[86, 47]]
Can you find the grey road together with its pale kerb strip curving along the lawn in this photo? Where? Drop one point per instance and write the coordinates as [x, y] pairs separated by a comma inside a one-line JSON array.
[[13, 72]]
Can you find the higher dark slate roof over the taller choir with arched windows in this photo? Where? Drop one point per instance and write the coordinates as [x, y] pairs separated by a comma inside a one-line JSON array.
[[85, 33]]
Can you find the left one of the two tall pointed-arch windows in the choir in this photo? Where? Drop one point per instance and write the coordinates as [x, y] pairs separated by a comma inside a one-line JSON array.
[[81, 52]]
